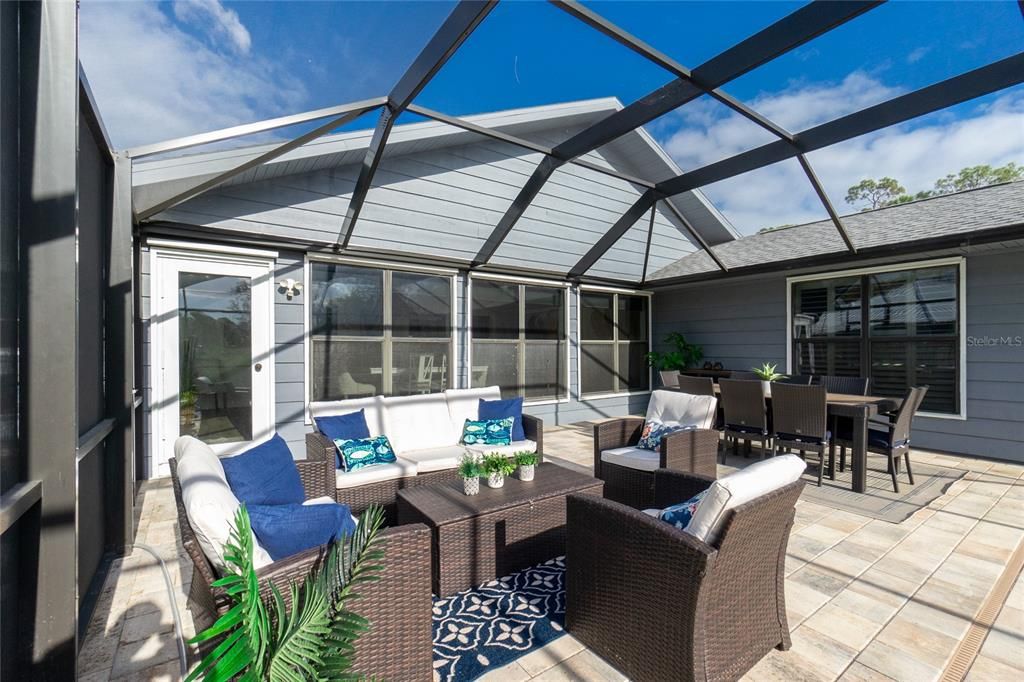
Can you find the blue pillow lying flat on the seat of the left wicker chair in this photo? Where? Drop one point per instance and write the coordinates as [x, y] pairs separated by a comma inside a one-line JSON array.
[[287, 530]]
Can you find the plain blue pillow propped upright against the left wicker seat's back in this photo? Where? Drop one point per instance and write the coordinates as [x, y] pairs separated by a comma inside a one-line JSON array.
[[266, 475]]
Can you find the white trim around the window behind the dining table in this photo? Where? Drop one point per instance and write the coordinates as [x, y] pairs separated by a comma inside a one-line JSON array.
[[960, 262]]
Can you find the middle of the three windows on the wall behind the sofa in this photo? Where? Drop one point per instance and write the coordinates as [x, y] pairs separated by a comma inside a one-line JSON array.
[[520, 338]]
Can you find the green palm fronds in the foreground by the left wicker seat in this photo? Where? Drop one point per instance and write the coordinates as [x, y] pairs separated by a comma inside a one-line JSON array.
[[262, 638]]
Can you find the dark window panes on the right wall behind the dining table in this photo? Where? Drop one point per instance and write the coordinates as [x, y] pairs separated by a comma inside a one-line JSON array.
[[901, 328]]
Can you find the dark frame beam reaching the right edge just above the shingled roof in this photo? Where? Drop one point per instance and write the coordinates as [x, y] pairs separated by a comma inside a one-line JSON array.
[[976, 83]]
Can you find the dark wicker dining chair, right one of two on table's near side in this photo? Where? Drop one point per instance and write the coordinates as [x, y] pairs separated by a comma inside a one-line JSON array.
[[800, 422]]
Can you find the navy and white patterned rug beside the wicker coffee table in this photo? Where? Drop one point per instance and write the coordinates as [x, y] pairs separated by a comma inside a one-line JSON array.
[[482, 629]]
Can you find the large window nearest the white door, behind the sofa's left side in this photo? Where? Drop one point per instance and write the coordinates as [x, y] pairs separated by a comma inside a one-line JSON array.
[[378, 331]]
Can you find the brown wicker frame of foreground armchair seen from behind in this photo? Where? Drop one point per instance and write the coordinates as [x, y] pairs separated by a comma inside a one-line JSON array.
[[660, 605]]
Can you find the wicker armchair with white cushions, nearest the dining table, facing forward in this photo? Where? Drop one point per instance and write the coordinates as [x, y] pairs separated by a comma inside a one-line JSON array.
[[628, 472]]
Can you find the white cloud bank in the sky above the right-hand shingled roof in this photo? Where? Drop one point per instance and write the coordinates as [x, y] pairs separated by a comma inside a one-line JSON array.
[[917, 153]]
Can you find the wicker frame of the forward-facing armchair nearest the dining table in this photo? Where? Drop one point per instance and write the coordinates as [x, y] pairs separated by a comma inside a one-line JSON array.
[[695, 452]]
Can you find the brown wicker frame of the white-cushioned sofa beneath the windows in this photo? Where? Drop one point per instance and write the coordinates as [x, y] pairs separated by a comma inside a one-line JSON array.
[[320, 449]]
